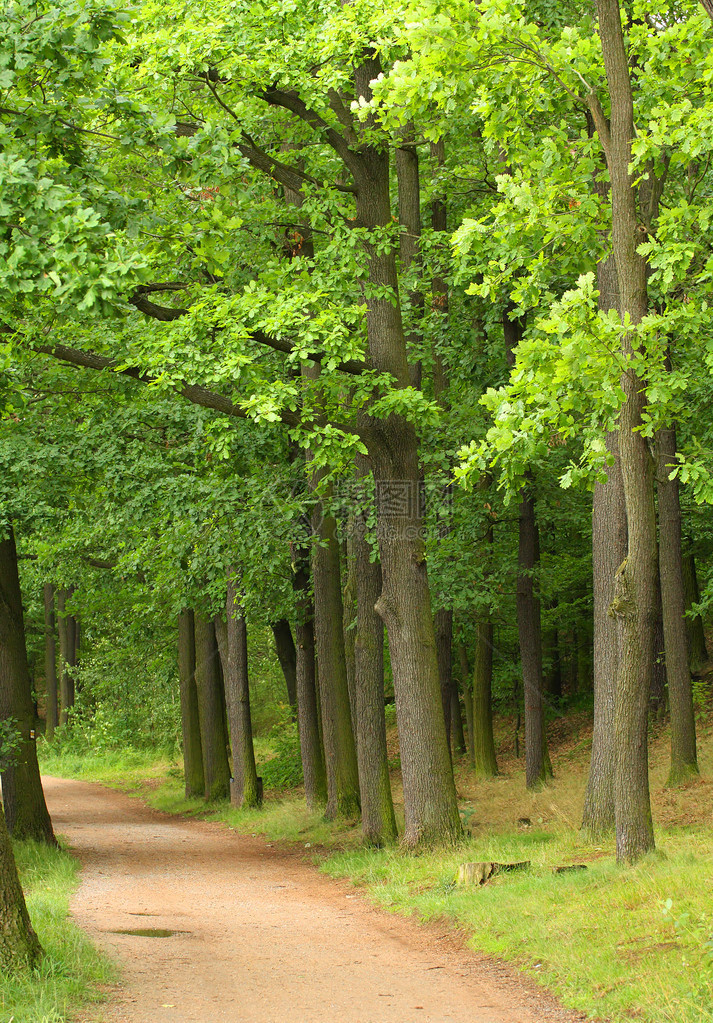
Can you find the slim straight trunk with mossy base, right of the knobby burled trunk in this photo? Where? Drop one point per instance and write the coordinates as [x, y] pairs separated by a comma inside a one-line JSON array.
[[684, 754]]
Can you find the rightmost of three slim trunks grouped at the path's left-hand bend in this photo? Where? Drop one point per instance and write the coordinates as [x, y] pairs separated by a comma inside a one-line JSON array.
[[246, 790]]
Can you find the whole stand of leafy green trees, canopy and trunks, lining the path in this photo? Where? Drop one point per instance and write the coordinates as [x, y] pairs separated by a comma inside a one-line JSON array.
[[411, 247]]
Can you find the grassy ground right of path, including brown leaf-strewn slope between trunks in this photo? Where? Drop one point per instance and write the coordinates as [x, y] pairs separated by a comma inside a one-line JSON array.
[[617, 944]]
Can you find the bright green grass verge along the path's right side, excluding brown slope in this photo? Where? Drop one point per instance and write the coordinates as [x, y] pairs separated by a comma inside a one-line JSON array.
[[616, 944]]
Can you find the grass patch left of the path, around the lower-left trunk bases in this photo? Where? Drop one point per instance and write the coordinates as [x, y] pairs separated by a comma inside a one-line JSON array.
[[72, 972]]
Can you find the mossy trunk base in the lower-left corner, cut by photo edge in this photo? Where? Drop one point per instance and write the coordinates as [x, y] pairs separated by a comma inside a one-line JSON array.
[[20, 949]]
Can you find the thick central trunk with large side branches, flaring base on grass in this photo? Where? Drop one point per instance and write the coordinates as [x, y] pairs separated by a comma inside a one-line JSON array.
[[431, 810]]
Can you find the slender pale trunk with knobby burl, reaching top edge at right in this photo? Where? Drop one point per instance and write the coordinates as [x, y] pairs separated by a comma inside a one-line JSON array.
[[635, 602]]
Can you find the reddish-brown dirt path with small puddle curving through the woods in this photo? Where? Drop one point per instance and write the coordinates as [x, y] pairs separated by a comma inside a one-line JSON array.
[[260, 937]]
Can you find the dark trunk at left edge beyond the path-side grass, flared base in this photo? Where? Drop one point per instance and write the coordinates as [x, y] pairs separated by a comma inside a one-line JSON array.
[[26, 811]]
